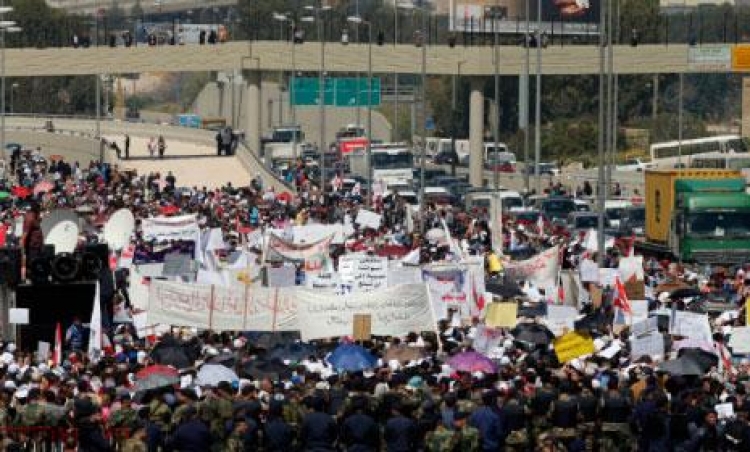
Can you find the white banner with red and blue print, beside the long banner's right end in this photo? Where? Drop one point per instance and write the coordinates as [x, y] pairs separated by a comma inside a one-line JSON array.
[[449, 288]]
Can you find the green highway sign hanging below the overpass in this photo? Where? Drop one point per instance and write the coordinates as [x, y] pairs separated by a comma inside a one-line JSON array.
[[339, 92]]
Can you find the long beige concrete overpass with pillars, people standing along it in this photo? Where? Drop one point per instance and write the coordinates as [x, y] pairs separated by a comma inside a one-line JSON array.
[[256, 57]]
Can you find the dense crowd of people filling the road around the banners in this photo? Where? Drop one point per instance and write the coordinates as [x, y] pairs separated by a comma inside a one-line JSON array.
[[532, 402]]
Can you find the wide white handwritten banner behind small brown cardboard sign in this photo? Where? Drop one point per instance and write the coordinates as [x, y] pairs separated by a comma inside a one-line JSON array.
[[393, 311]]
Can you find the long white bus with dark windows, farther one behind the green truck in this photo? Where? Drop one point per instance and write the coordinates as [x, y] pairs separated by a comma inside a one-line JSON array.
[[670, 153]]
